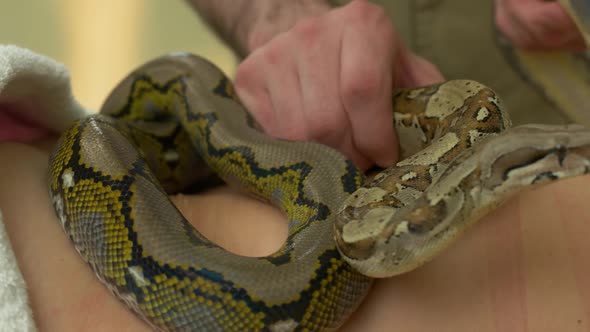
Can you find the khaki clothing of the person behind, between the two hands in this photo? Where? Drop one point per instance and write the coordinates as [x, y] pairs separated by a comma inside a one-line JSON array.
[[458, 36]]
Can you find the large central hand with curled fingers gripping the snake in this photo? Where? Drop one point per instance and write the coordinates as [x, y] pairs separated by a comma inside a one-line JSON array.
[[330, 79]]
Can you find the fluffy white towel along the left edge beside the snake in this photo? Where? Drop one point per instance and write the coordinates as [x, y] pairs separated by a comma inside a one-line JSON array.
[[37, 88]]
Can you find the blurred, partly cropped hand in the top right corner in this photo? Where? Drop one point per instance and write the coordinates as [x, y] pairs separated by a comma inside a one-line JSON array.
[[538, 25]]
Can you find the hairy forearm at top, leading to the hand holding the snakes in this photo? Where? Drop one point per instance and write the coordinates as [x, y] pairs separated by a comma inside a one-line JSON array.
[[247, 24]]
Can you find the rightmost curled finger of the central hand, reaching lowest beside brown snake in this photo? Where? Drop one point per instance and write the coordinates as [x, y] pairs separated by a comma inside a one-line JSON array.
[[366, 93]]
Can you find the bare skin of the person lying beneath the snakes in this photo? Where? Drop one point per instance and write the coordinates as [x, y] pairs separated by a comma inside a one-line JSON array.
[[523, 268]]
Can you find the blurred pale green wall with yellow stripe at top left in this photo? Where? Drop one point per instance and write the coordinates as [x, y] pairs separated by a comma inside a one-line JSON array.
[[101, 41]]
